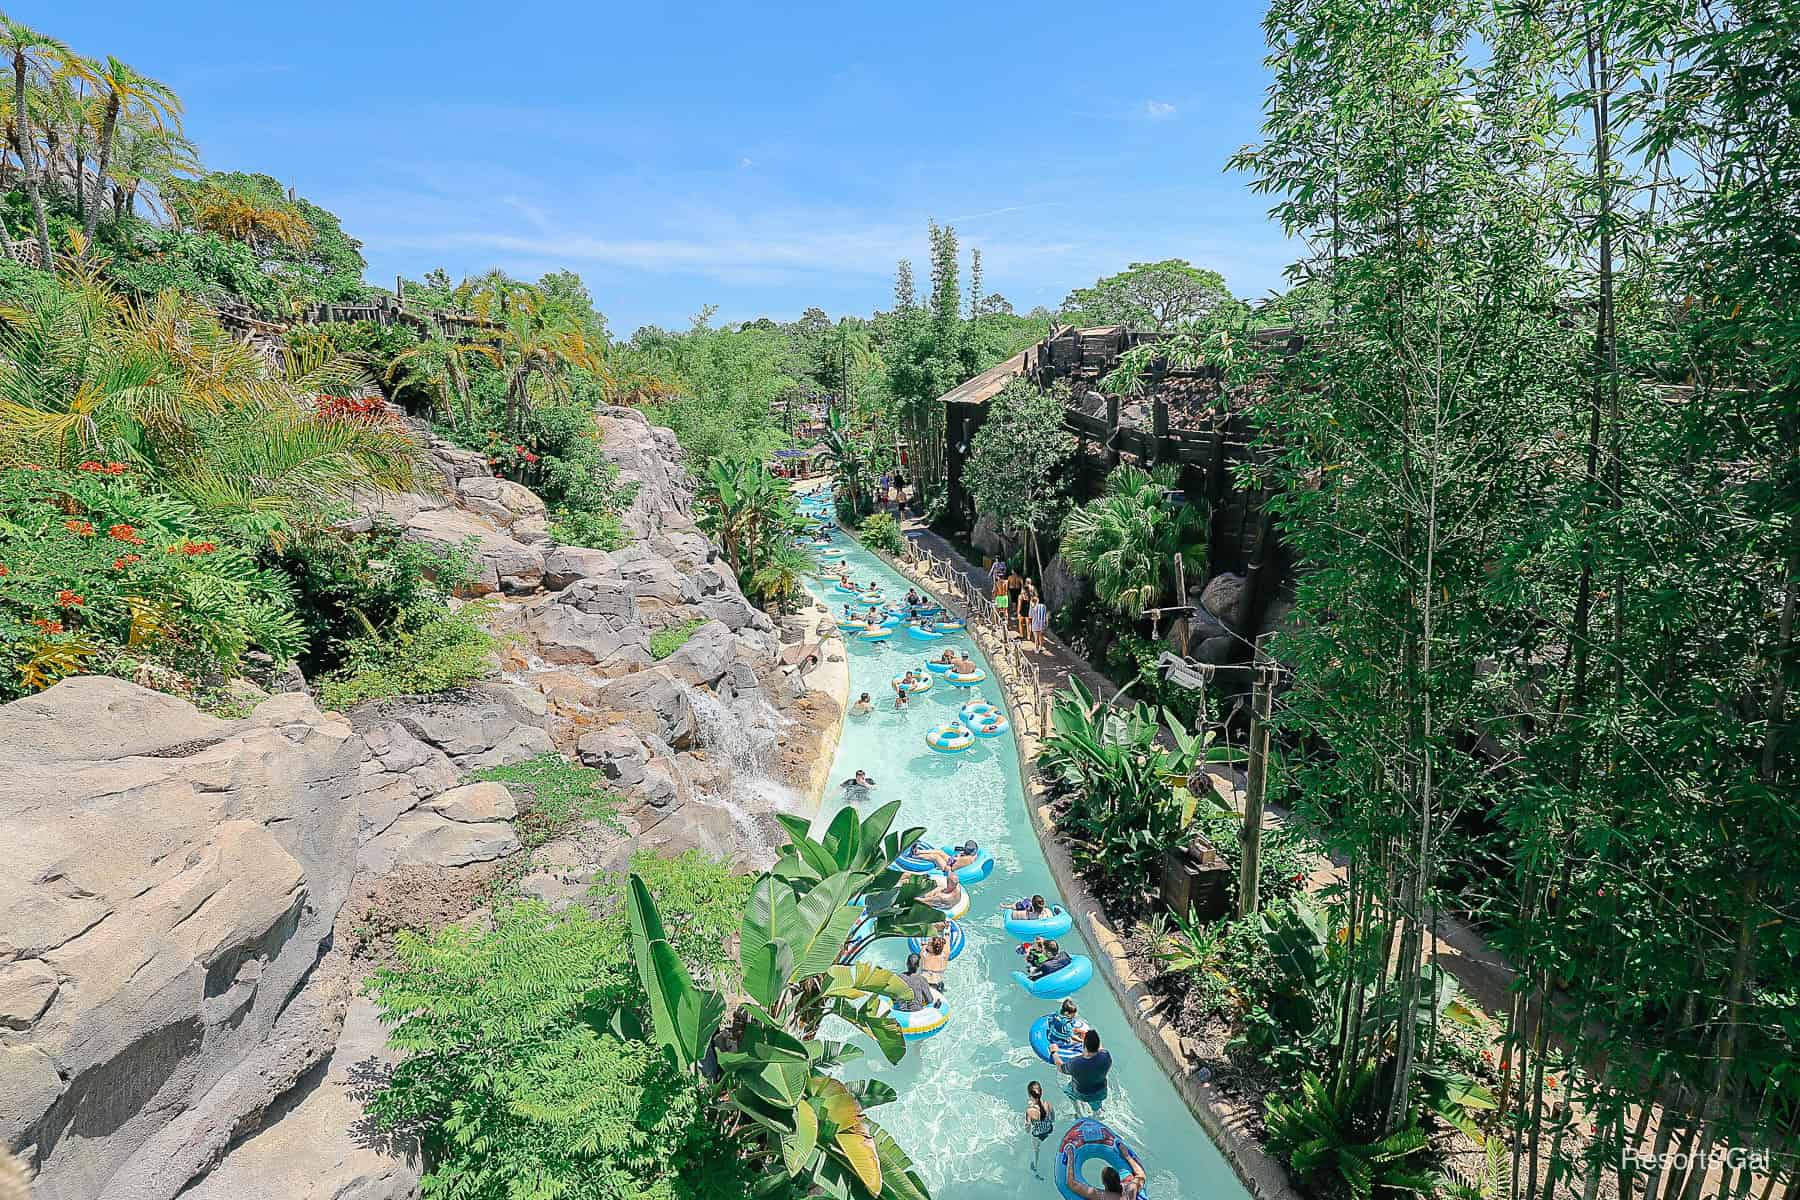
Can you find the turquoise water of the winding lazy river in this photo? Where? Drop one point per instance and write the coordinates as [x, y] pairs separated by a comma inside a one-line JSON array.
[[962, 1091]]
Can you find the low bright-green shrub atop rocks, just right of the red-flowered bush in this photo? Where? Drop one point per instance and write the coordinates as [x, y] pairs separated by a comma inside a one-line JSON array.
[[427, 650]]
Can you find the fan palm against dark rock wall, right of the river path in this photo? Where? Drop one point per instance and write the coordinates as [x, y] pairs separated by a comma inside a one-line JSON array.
[[1129, 539]]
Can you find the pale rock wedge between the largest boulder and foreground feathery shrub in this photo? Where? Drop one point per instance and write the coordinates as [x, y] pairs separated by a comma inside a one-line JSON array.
[[318, 1143]]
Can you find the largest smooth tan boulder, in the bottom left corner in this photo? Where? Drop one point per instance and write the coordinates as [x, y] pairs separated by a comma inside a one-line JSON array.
[[177, 877]]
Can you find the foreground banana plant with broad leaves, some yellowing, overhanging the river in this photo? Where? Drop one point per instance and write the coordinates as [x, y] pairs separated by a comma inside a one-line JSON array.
[[769, 1066]]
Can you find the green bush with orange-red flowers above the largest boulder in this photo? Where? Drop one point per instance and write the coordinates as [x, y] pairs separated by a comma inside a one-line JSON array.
[[82, 589]]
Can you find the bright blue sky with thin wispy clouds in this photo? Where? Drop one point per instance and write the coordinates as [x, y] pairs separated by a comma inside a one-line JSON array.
[[755, 157]]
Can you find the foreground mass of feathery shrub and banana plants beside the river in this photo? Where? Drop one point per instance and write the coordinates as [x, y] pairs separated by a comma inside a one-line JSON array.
[[629, 1053]]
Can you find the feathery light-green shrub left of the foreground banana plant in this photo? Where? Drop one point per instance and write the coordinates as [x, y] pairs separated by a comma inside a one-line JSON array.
[[526, 1068]]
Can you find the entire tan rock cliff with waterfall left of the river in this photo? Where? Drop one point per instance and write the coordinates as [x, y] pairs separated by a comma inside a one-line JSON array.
[[179, 893]]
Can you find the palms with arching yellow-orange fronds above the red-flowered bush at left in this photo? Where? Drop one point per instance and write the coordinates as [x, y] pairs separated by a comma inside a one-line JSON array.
[[91, 375]]
